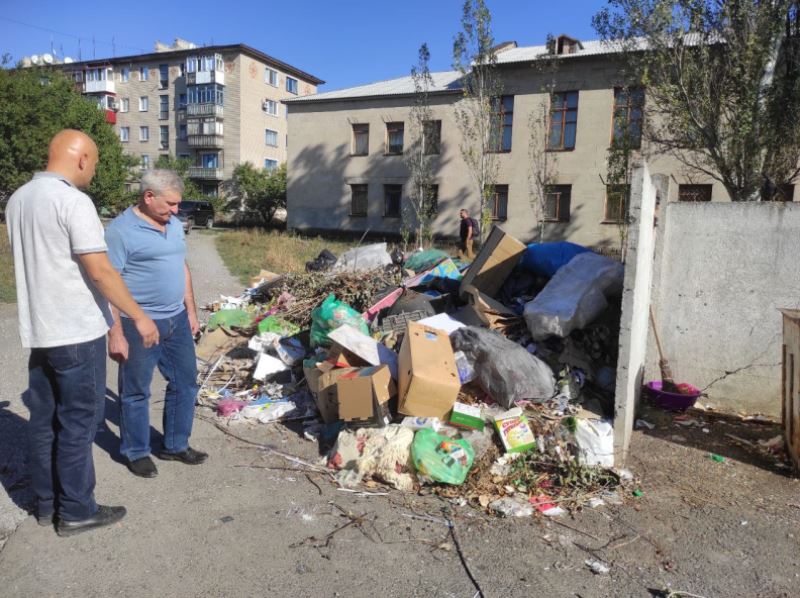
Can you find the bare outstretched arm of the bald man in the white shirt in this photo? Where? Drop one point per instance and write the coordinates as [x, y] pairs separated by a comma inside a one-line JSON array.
[[110, 284]]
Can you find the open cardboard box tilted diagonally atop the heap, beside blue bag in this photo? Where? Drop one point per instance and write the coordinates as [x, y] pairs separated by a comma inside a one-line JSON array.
[[494, 262]]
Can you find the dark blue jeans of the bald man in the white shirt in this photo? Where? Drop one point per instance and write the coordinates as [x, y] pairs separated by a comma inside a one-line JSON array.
[[65, 397]]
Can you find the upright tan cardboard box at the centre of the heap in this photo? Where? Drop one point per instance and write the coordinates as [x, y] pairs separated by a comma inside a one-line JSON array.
[[428, 378]]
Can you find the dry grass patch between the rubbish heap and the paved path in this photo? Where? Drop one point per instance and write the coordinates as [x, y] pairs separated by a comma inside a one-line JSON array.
[[246, 252]]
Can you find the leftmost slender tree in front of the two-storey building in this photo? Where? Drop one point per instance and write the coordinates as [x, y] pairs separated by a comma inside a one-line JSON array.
[[423, 144]]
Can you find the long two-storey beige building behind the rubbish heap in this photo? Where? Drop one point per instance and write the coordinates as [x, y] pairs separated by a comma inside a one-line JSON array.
[[347, 172]]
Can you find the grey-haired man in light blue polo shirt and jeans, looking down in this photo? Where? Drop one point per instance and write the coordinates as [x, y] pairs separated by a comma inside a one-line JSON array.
[[146, 245]]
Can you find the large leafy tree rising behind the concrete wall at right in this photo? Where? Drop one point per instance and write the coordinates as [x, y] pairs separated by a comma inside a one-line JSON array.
[[722, 81]]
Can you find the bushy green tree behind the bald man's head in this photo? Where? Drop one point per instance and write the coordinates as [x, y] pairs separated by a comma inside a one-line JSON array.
[[36, 103]]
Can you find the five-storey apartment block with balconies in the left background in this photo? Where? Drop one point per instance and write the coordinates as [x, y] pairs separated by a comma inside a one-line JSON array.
[[218, 106]]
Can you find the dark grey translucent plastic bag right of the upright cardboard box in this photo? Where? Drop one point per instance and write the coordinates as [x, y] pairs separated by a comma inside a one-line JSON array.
[[503, 368]]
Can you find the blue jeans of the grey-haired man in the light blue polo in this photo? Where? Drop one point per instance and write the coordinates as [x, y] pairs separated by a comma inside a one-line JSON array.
[[174, 355]]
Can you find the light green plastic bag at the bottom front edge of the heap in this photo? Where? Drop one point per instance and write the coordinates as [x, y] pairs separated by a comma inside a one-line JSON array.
[[441, 459]]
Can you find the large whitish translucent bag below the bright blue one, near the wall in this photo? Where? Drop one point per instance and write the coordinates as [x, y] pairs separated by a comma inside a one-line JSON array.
[[574, 297]]
